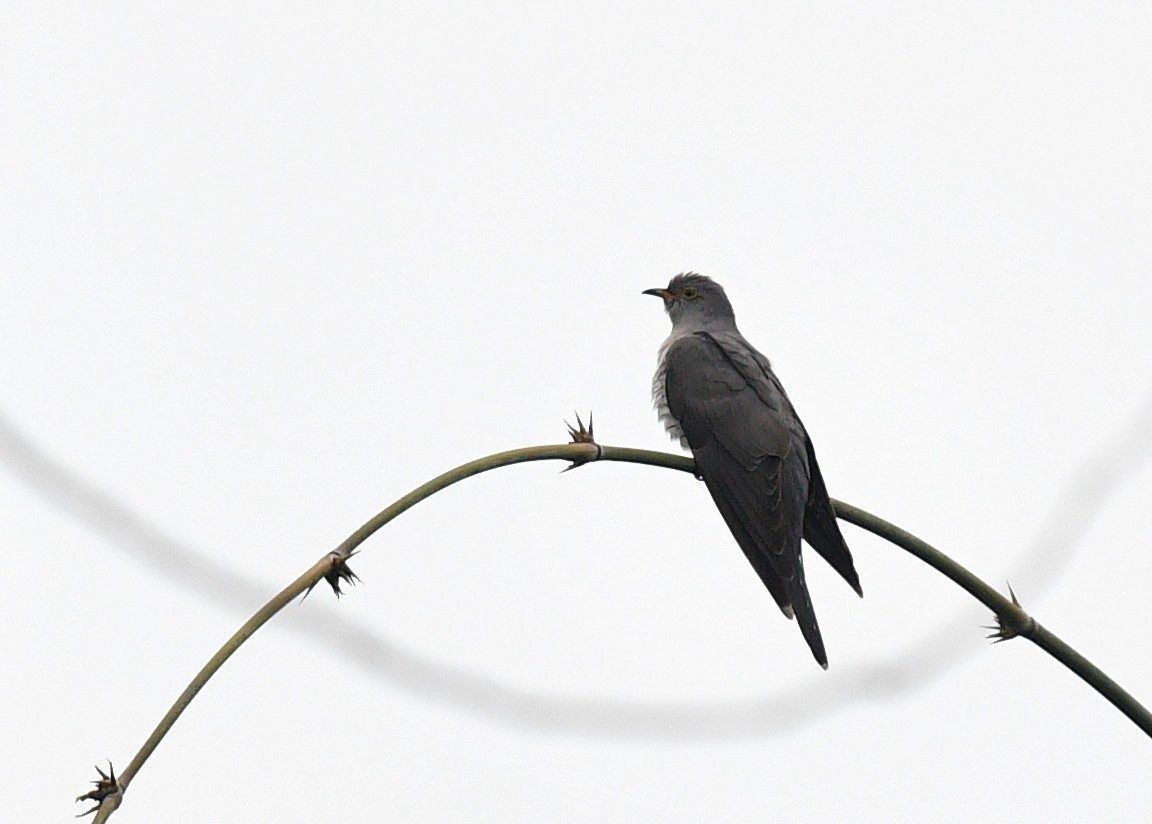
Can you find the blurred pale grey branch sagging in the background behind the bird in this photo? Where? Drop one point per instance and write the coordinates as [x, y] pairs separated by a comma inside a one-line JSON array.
[[1090, 486]]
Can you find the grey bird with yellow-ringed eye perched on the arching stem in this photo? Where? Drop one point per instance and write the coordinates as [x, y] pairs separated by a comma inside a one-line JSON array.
[[721, 398]]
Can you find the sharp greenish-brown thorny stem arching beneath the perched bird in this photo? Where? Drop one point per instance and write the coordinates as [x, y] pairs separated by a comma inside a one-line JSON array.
[[1013, 619]]
